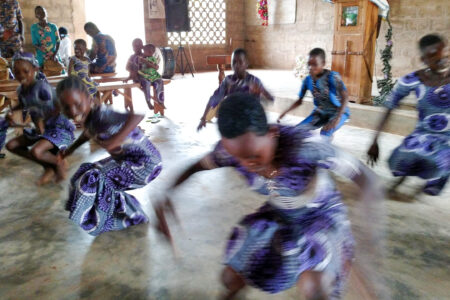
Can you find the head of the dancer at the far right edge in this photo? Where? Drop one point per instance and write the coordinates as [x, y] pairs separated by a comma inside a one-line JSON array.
[[433, 51]]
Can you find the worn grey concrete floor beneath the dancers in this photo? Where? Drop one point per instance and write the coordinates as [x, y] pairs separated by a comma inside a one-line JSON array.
[[45, 256]]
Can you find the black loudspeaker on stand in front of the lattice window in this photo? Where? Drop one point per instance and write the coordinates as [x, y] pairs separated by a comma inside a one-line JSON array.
[[177, 15]]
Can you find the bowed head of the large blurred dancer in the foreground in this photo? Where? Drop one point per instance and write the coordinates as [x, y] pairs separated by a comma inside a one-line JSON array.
[[245, 132]]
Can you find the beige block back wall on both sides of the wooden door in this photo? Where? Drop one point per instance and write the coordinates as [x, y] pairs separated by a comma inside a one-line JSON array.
[[277, 46]]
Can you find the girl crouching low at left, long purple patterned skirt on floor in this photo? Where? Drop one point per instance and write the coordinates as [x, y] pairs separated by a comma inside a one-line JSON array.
[[98, 201]]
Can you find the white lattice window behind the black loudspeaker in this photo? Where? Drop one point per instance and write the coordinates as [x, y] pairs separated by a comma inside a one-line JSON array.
[[208, 24]]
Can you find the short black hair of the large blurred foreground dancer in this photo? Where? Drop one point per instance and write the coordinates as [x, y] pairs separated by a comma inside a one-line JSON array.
[[241, 113]]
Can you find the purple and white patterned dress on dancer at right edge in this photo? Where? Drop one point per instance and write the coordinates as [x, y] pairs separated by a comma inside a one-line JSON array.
[[426, 151]]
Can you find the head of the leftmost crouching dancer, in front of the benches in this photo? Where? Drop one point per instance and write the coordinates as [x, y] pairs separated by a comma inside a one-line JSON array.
[[25, 67]]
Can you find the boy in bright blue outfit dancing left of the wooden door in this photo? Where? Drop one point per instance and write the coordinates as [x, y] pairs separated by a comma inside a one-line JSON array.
[[329, 93]]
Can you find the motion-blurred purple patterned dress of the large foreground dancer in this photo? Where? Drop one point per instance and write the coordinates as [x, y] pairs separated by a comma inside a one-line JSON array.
[[303, 226]]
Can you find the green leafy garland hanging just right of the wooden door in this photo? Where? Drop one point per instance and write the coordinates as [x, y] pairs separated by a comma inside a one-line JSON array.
[[385, 85]]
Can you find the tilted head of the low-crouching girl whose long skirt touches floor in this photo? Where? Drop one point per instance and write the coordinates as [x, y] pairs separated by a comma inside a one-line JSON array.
[[74, 98]]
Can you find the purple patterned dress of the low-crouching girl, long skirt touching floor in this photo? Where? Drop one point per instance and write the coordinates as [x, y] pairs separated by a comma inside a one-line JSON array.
[[98, 201]]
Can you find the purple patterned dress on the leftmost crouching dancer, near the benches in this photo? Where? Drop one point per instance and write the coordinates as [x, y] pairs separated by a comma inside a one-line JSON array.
[[39, 101]]
